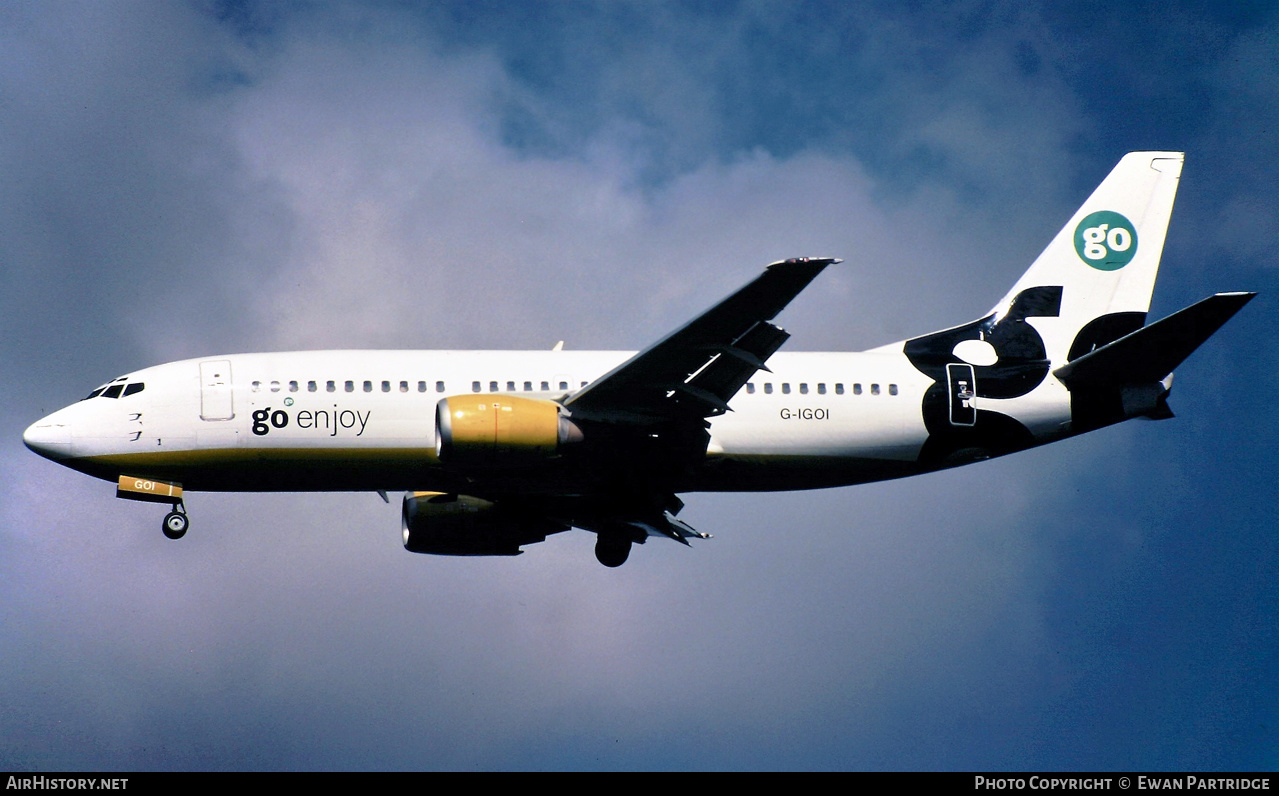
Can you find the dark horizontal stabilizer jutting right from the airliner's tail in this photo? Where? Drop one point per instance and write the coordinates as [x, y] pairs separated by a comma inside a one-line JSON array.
[[1152, 353]]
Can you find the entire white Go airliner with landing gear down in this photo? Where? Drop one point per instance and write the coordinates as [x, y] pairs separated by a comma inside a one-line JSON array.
[[501, 449]]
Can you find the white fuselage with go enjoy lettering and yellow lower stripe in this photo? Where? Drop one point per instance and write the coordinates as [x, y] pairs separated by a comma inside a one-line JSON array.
[[355, 420]]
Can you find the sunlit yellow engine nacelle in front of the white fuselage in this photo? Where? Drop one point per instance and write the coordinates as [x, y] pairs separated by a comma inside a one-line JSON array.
[[501, 431]]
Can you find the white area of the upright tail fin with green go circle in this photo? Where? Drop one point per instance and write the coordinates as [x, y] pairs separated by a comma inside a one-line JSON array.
[[1104, 262]]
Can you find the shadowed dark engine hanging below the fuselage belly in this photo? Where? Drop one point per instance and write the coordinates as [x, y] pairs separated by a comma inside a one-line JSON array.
[[462, 525]]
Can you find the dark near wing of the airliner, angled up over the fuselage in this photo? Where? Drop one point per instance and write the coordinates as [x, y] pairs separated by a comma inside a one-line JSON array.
[[695, 370]]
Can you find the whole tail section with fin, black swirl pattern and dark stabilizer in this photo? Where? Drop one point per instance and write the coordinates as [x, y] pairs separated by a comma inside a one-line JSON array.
[[1079, 314]]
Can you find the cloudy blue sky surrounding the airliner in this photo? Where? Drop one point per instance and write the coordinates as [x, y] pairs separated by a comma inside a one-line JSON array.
[[190, 180]]
